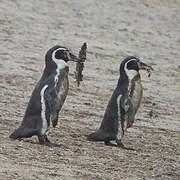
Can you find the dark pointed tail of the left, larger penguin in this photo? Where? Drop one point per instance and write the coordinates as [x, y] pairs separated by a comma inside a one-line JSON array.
[[22, 132]]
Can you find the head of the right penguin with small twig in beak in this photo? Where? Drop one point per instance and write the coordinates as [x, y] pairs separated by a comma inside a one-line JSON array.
[[131, 66]]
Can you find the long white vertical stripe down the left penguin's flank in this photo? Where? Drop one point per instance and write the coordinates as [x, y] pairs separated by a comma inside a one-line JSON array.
[[43, 111]]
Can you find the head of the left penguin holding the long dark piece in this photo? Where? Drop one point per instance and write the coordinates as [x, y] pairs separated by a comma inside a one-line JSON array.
[[60, 53]]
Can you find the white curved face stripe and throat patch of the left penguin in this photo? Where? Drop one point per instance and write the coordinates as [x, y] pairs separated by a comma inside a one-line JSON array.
[[61, 64]]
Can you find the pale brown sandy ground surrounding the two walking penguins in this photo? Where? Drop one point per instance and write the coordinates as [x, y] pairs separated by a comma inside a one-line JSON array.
[[113, 30]]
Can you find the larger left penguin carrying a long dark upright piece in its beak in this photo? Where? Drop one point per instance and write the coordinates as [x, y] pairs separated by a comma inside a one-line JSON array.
[[47, 97]]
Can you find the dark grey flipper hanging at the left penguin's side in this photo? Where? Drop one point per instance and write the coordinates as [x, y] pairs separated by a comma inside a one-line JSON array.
[[52, 100]]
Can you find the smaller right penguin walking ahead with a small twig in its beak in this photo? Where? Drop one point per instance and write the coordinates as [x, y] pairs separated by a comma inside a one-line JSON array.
[[123, 105]]
